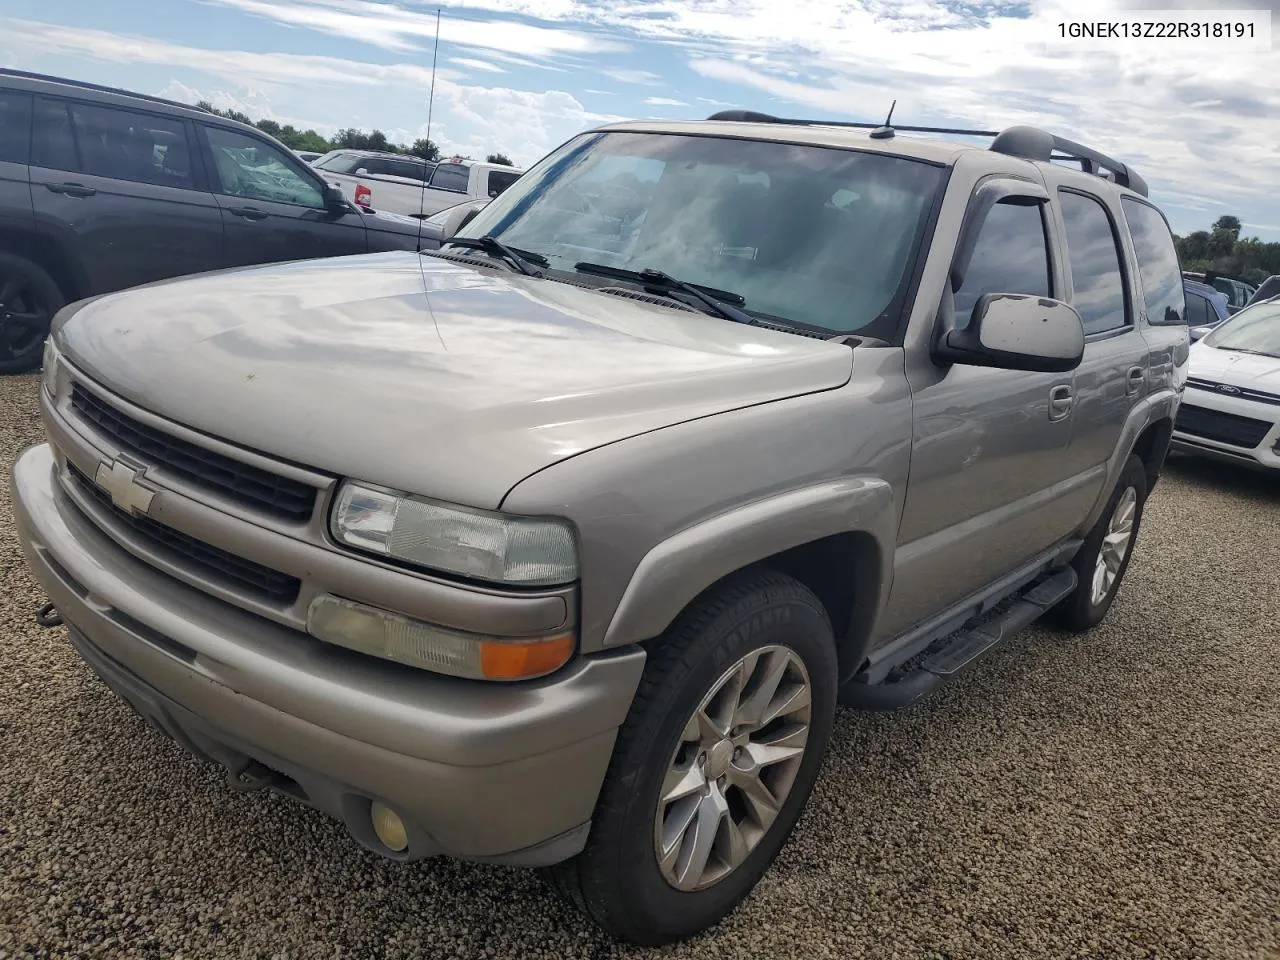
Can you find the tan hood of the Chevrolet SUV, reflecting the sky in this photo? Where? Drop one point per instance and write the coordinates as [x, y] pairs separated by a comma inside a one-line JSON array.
[[423, 374]]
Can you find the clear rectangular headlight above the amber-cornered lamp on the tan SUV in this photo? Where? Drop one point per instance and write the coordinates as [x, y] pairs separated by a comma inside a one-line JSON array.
[[493, 547]]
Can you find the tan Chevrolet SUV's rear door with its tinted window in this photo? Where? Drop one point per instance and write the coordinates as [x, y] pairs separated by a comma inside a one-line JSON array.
[[1112, 380]]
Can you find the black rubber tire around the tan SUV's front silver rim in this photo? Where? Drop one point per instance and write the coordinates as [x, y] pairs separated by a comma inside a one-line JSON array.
[[618, 880]]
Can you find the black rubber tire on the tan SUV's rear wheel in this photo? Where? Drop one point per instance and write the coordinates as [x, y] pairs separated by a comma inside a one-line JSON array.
[[1085, 610]]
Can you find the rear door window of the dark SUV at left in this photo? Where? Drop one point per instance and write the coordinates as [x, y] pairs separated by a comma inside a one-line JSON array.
[[132, 147]]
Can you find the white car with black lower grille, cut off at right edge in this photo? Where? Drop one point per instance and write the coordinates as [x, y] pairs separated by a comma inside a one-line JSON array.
[[1232, 408]]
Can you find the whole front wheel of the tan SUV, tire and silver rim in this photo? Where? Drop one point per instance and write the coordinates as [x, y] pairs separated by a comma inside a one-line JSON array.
[[714, 765]]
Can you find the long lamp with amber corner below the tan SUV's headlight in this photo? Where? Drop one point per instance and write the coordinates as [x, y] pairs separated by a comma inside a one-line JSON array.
[[419, 644]]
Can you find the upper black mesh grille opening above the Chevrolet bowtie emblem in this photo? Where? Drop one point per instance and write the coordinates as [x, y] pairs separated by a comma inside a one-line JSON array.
[[260, 490]]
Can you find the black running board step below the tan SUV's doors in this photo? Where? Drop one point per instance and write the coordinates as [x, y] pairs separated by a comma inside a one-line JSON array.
[[944, 660]]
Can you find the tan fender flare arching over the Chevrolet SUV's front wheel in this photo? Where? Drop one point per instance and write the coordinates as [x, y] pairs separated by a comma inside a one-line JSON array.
[[684, 565]]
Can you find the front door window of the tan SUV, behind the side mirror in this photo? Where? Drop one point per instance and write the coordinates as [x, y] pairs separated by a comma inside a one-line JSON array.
[[1012, 257]]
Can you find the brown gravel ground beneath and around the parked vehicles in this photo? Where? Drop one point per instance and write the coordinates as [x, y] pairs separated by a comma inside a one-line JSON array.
[[1110, 796]]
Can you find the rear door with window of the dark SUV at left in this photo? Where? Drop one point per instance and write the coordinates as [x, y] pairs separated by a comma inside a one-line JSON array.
[[120, 189]]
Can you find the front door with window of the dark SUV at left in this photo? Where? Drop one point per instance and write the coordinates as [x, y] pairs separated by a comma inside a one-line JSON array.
[[273, 205]]
